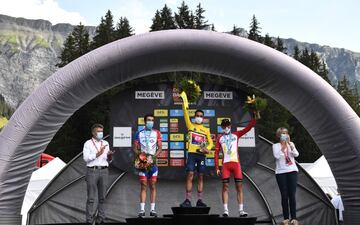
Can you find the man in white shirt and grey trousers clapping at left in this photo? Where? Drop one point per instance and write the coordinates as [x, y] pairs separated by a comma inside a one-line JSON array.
[[96, 154]]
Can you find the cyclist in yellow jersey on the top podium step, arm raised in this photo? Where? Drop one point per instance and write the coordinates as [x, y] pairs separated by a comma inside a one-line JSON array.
[[199, 144]]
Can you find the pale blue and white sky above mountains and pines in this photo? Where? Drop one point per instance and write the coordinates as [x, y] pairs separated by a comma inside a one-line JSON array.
[[326, 22]]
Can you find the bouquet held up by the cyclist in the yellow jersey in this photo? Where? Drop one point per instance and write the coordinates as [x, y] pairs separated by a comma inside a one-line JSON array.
[[190, 88]]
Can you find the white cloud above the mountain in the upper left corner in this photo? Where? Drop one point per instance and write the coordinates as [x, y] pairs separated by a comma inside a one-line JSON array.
[[40, 9]]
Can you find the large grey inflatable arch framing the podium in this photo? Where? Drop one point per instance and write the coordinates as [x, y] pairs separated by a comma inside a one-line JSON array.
[[327, 117]]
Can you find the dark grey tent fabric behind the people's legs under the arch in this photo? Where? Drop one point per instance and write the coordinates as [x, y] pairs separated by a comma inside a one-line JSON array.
[[63, 201]]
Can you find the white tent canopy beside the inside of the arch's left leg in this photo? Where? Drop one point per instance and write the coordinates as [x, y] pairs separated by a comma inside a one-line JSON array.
[[38, 181]]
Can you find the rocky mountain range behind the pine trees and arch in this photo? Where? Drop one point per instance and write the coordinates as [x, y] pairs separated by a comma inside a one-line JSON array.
[[29, 51]]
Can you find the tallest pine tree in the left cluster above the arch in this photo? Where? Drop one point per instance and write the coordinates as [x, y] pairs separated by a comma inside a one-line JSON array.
[[105, 32]]
